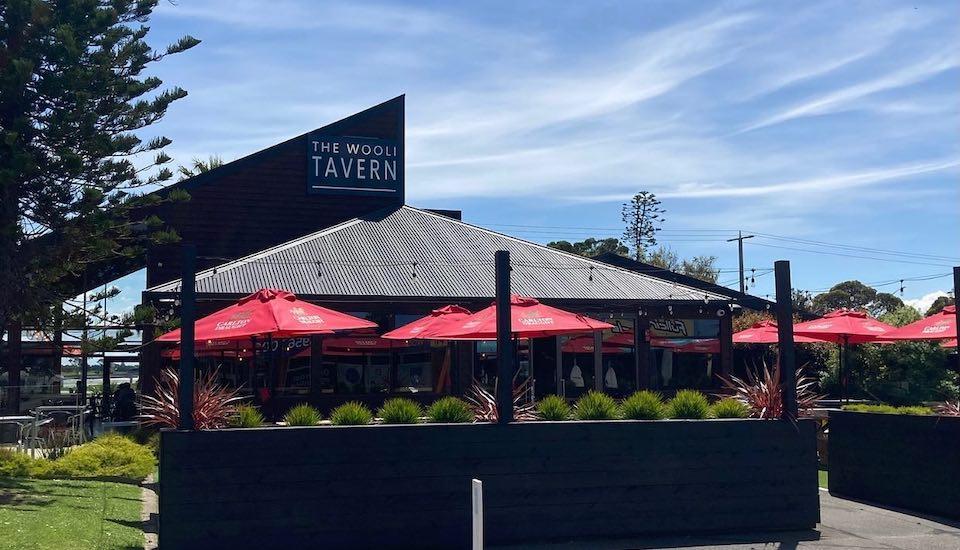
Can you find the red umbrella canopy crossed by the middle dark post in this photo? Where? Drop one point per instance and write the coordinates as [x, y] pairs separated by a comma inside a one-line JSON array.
[[528, 319]]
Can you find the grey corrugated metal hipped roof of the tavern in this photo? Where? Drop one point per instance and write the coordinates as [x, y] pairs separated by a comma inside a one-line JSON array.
[[412, 253]]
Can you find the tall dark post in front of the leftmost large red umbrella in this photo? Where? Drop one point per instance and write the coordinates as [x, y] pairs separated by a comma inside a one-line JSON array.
[[188, 316]]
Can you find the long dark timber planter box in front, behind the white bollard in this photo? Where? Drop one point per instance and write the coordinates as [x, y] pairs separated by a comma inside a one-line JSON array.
[[409, 486]]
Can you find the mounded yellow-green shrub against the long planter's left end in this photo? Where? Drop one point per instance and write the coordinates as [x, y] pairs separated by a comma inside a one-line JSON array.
[[109, 455]]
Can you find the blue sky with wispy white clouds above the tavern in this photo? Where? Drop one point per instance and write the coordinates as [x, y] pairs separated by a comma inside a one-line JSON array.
[[834, 122]]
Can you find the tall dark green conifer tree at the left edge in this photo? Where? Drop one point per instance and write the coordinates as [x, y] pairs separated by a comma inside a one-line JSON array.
[[79, 94]]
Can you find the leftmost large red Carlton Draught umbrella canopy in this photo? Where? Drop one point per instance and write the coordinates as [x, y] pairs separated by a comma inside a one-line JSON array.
[[270, 312]]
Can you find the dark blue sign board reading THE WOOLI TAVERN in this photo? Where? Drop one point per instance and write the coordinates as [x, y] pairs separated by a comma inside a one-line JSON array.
[[349, 165]]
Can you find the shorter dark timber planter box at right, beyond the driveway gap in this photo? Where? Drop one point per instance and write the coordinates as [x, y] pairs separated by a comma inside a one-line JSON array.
[[905, 461]]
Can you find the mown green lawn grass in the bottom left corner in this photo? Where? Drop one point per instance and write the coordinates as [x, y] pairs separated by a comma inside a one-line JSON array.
[[69, 515]]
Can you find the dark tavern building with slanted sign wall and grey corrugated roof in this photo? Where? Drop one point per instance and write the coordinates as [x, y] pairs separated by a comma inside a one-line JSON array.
[[323, 215]]
